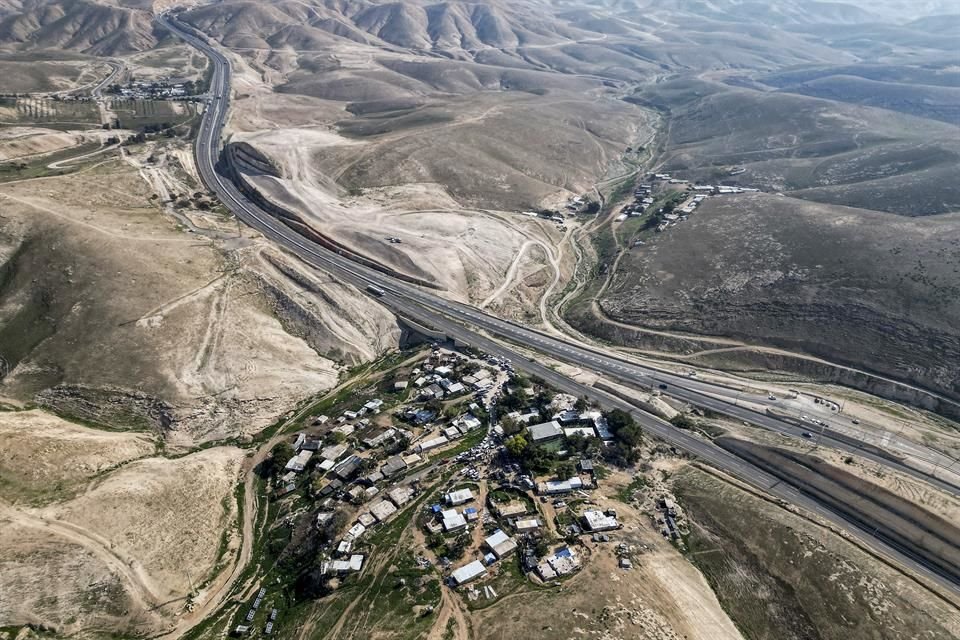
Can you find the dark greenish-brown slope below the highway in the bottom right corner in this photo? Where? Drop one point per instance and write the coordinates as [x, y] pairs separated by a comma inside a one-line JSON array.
[[779, 574]]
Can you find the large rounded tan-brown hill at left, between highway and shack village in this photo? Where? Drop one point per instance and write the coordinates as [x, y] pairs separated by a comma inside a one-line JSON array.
[[191, 319]]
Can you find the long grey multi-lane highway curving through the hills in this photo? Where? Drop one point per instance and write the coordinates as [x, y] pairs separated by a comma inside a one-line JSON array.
[[438, 312]]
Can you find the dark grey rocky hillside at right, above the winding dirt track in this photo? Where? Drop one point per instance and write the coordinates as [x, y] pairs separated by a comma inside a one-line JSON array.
[[824, 280]]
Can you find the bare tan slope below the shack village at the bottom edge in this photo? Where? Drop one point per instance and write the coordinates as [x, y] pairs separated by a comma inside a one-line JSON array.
[[662, 598]]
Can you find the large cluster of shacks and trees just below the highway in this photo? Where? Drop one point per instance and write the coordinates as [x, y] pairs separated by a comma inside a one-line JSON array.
[[499, 471]]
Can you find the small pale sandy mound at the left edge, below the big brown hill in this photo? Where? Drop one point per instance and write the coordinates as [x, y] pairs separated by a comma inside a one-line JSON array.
[[40, 453]]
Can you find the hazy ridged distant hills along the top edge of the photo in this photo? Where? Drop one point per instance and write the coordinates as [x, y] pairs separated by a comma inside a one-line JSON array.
[[655, 32]]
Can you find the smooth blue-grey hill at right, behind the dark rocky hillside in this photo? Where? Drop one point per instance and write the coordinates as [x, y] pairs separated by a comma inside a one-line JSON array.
[[818, 149]]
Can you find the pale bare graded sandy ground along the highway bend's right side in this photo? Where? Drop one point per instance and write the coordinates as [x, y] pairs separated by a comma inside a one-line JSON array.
[[468, 252]]
